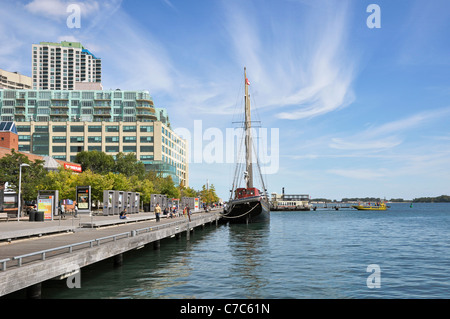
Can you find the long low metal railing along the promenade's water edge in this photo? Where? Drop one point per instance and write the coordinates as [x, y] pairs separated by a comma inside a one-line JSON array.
[[97, 241]]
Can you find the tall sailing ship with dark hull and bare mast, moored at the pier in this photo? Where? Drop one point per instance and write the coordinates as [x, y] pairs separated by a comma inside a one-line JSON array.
[[247, 204]]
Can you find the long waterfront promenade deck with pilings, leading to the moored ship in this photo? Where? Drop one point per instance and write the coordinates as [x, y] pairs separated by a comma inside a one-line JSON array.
[[33, 252]]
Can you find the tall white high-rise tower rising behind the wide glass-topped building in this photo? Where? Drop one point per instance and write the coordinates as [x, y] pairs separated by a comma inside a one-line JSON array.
[[58, 66]]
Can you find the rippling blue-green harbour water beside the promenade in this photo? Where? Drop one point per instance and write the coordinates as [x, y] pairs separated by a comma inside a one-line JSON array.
[[322, 254]]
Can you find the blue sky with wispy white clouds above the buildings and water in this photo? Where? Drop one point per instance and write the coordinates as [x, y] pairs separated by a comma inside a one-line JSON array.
[[355, 101]]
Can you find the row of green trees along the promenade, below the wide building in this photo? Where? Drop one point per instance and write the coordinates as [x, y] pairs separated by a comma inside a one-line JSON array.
[[101, 172]]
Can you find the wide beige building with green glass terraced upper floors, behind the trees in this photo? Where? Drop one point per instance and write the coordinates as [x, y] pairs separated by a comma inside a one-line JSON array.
[[62, 123]]
